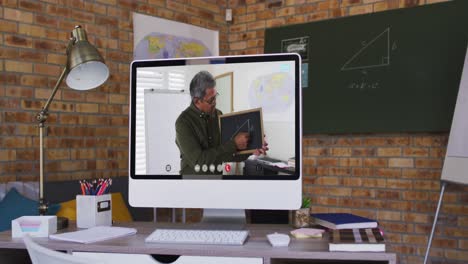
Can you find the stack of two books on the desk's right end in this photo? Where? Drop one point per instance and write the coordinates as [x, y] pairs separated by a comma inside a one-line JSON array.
[[352, 233]]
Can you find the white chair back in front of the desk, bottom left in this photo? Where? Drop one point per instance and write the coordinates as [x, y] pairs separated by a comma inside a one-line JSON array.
[[43, 255]]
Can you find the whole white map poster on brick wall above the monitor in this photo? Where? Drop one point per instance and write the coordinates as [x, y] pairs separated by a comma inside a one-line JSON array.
[[157, 38]]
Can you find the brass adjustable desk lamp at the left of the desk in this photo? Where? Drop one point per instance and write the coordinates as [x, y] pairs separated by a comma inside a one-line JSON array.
[[86, 70]]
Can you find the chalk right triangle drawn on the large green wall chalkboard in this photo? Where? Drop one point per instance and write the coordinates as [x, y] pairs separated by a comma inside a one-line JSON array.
[[375, 53]]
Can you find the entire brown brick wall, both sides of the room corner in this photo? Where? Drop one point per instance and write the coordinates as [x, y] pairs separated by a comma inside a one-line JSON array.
[[393, 178]]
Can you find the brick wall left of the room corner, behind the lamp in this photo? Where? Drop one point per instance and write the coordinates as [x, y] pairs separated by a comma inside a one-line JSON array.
[[86, 131]]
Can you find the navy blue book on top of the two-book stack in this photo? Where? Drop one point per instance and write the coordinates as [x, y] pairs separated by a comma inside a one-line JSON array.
[[343, 221]]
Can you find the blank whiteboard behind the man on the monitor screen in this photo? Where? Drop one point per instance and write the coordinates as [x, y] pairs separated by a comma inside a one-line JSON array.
[[162, 107]]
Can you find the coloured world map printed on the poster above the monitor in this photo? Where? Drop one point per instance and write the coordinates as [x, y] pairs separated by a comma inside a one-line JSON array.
[[163, 46]]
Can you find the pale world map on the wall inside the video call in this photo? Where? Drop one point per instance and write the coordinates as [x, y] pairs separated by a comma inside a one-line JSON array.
[[273, 92]]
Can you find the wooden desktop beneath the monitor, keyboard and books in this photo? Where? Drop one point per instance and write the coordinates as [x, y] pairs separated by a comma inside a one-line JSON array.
[[257, 246]]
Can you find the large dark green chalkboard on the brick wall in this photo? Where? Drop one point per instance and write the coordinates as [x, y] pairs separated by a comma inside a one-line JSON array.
[[392, 71]]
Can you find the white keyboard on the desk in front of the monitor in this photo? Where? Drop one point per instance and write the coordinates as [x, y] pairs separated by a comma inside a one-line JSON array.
[[196, 236]]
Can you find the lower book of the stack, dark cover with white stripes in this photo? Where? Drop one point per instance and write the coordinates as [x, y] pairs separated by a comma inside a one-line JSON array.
[[355, 240]]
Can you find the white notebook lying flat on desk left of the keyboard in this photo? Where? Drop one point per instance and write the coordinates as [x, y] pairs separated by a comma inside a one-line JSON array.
[[94, 234]]
